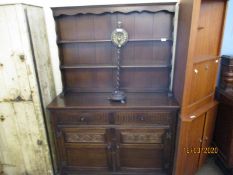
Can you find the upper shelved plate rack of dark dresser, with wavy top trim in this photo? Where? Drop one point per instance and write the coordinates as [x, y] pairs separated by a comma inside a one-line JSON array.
[[88, 58]]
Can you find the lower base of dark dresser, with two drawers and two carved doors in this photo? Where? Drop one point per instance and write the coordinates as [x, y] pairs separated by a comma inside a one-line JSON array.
[[137, 142]]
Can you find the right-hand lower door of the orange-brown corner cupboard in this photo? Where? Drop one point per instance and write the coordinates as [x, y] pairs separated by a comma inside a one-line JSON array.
[[208, 134]]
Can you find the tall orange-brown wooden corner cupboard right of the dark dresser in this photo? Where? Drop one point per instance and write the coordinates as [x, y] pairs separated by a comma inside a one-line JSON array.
[[200, 27]]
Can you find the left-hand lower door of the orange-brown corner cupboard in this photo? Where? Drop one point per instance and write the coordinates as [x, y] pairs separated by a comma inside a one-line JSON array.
[[195, 133]]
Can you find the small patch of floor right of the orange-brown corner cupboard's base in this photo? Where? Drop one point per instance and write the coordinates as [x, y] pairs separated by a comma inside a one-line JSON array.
[[210, 168]]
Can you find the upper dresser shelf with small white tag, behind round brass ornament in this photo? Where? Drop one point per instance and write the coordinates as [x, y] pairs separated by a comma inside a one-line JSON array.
[[104, 41]]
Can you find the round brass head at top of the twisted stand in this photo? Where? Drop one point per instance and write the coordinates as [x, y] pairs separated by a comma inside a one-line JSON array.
[[119, 36]]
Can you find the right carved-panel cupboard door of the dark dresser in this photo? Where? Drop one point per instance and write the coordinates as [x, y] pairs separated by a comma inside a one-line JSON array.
[[142, 148]]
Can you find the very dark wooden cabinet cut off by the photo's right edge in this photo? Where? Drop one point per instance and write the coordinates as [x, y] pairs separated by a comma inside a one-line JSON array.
[[223, 136]]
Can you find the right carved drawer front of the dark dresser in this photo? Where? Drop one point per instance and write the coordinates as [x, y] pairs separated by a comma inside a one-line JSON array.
[[160, 118]]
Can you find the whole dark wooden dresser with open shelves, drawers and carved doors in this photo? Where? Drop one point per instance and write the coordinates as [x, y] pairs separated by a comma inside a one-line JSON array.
[[97, 136]]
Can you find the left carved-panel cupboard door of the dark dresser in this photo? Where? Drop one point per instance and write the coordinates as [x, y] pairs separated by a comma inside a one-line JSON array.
[[85, 148]]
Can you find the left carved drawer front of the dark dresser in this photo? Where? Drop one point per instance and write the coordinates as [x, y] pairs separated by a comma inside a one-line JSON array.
[[74, 117]]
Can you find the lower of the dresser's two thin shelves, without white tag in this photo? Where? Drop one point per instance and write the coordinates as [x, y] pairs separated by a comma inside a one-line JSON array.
[[113, 66]]
